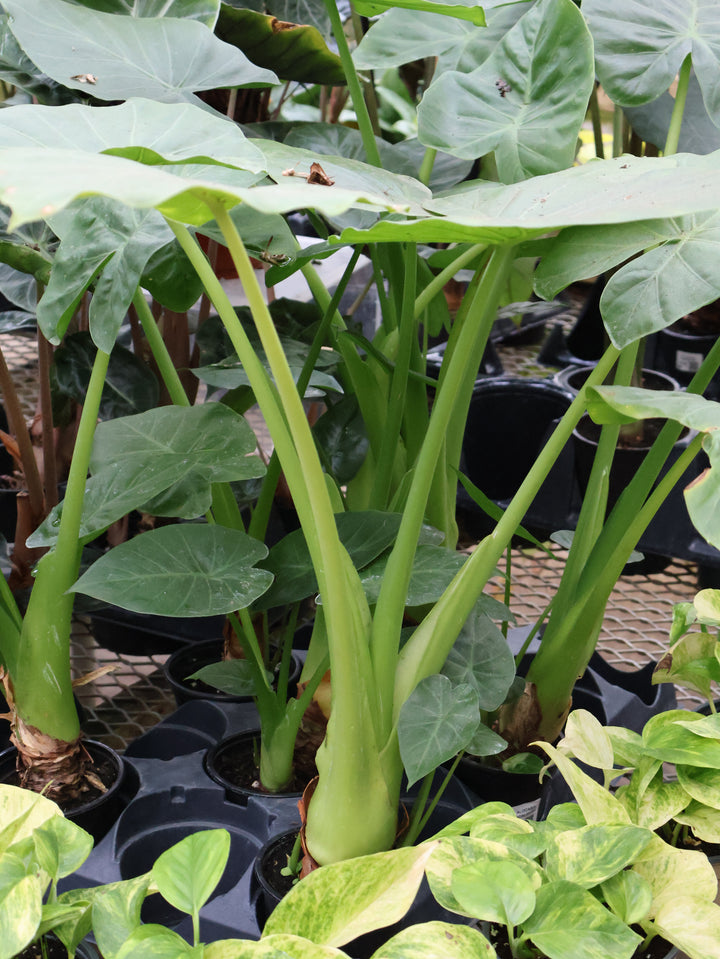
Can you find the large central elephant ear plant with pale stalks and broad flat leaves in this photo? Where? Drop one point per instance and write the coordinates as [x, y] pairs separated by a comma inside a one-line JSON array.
[[373, 678]]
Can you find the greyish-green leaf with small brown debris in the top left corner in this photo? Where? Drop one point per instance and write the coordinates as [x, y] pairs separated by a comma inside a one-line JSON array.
[[116, 57]]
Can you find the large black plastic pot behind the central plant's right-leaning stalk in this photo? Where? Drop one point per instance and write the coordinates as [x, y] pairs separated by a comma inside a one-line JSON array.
[[508, 422]]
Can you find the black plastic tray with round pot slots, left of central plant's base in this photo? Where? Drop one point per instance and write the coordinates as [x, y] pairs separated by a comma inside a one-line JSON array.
[[174, 796]]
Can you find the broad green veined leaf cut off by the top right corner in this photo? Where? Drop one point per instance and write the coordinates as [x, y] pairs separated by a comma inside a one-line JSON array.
[[640, 47]]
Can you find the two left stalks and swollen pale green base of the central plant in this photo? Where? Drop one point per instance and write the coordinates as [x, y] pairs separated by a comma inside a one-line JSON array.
[[351, 786]]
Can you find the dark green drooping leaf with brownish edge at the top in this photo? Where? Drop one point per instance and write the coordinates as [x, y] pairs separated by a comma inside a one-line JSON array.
[[294, 51]]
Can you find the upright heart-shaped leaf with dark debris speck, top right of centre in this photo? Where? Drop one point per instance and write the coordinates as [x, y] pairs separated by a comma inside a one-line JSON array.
[[528, 86]]
